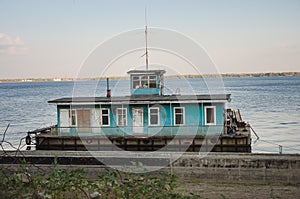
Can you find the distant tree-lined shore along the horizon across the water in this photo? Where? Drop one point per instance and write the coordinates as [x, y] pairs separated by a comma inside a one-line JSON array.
[[226, 75]]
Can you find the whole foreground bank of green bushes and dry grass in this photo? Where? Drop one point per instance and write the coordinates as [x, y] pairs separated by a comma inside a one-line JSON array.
[[73, 183]]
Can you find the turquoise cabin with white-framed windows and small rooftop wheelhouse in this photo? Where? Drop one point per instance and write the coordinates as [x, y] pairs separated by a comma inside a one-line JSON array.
[[146, 112]]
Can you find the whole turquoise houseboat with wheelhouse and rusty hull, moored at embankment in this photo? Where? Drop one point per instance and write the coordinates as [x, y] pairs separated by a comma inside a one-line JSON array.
[[145, 120]]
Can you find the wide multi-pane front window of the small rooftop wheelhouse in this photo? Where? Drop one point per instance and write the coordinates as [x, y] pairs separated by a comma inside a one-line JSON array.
[[145, 81]]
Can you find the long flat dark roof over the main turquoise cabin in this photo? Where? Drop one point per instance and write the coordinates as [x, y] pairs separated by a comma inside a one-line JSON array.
[[145, 99]]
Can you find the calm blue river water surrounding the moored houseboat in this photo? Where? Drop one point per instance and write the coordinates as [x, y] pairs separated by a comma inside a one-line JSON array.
[[270, 104]]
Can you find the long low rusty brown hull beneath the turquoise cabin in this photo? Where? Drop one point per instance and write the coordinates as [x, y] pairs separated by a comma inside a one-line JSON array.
[[220, 143]]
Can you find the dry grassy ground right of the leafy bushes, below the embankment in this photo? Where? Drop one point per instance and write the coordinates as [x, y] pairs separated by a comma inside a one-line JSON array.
[[236, 190]]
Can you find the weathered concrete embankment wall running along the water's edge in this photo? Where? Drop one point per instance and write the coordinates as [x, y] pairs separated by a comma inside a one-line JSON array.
[[243, 167]]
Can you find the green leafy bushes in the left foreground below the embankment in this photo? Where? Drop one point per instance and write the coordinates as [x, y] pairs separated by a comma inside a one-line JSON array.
[[71, 183]]
